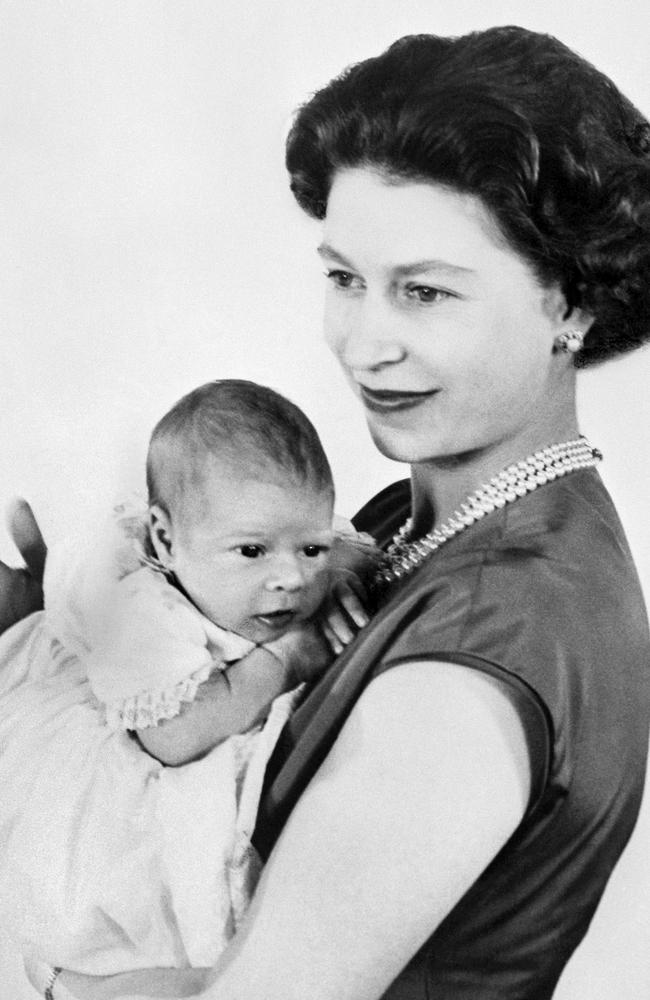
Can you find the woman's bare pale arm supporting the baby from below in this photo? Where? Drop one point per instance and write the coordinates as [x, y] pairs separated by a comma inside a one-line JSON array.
[[427, 781]]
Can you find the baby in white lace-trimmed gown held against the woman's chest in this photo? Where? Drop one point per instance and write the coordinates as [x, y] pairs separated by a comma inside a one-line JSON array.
[[181, 640]]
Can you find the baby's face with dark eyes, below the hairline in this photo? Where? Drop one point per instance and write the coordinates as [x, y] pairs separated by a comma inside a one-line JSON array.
[[253, 556]]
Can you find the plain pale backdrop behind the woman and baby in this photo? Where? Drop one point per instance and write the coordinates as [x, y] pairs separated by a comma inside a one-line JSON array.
[[148, 243]]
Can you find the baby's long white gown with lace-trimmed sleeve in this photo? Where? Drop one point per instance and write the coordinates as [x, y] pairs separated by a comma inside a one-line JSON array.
[[110, 861]]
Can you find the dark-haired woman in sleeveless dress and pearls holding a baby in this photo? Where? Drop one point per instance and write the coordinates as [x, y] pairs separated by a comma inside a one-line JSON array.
[[453, 796]]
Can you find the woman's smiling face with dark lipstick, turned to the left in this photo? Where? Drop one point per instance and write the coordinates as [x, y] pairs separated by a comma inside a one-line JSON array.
[[442, 329]]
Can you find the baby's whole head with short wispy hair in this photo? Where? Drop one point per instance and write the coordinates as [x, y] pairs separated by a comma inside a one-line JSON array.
[[241, 504]]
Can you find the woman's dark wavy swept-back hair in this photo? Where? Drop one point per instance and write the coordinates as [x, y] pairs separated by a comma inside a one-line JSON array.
[[557, 154]]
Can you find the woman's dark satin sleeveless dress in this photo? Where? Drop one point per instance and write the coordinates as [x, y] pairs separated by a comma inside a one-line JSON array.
[[543, 596]]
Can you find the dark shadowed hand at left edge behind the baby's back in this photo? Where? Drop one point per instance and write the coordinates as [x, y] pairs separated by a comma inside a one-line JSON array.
[[21, 589]]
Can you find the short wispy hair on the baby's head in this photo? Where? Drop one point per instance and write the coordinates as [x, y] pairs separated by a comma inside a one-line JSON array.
[[240, 422]]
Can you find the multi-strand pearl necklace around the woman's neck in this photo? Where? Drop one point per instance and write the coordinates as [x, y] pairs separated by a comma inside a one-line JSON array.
[[404, 555]]
